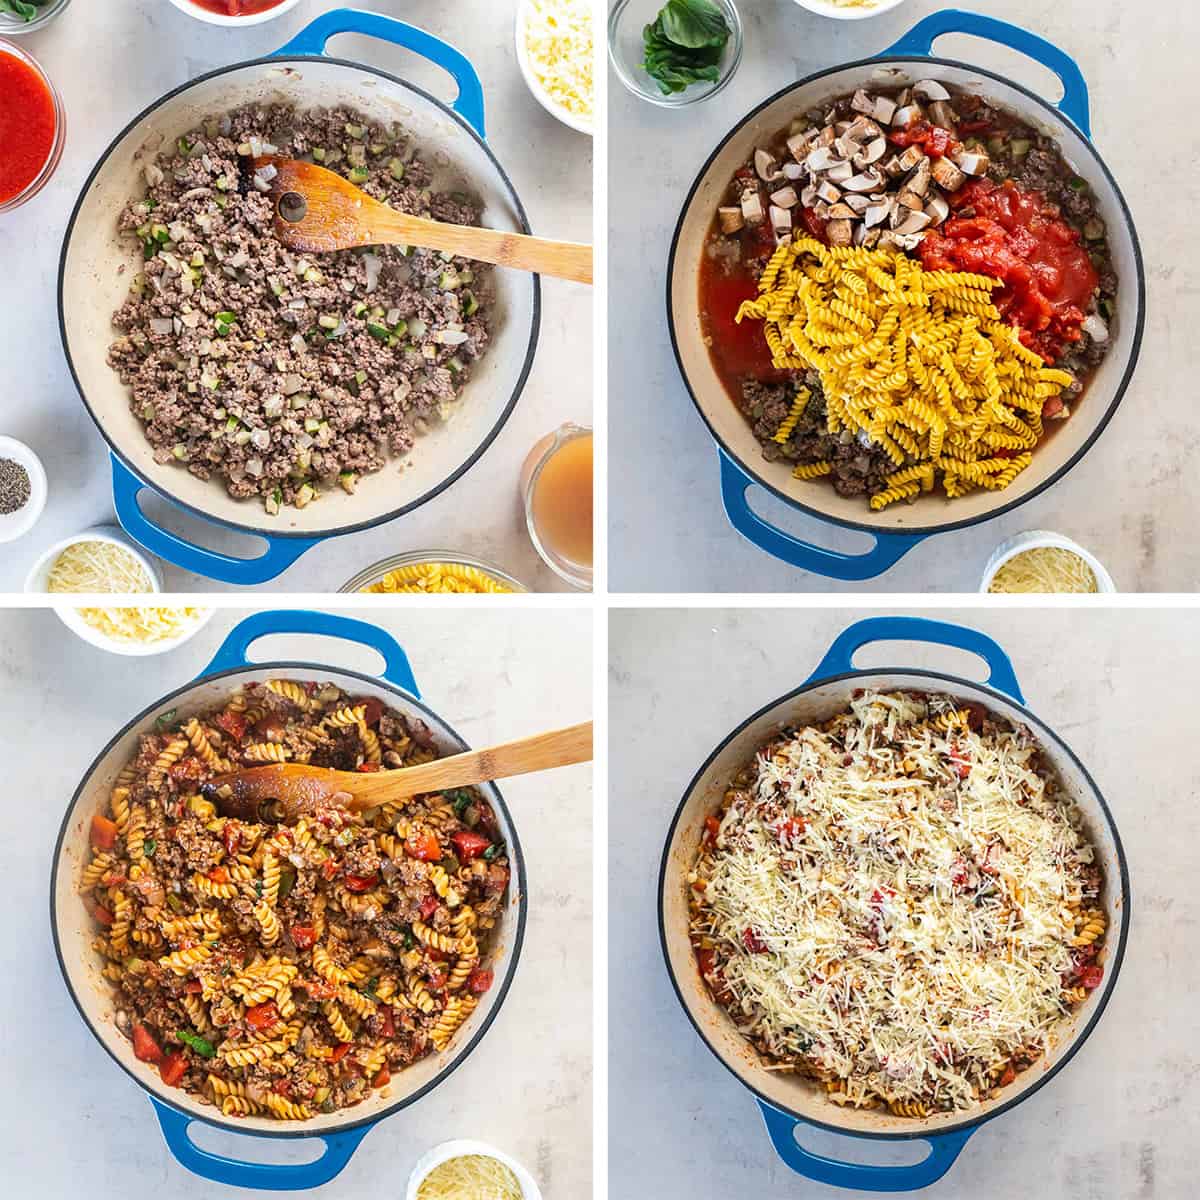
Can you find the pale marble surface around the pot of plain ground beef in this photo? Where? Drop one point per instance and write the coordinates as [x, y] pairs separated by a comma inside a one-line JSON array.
[[112, 61]]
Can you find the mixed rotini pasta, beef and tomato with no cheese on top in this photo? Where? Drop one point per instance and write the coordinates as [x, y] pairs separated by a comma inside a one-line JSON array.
[[289, 969]]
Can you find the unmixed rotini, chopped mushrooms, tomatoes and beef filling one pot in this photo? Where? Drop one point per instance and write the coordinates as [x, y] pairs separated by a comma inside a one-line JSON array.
[[992, 226]]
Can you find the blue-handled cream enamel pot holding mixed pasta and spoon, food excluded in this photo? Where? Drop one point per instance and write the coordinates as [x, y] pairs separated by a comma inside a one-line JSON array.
[[74, 929]]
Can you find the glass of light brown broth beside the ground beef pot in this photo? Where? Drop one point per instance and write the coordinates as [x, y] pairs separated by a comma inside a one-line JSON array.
[[556, 487]]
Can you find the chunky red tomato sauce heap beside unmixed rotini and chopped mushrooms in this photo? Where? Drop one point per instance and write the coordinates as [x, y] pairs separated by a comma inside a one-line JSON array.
[[1018, 238]]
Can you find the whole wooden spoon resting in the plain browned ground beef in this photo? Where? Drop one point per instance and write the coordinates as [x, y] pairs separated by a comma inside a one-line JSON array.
[[317, 211]]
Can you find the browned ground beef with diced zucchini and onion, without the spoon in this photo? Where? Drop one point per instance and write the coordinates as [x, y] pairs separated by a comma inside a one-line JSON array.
[[284, 376]]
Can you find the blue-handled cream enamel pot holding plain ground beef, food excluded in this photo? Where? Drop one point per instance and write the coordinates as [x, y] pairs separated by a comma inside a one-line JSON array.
[[97, 268]]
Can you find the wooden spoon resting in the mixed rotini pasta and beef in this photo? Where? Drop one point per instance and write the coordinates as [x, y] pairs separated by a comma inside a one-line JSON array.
[[298, 787]]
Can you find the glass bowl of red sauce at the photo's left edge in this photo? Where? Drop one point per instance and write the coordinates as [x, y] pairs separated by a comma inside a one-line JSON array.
[[33, 128]]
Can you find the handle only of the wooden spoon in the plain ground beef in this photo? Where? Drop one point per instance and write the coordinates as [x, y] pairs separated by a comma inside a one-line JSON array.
[[562, 260]]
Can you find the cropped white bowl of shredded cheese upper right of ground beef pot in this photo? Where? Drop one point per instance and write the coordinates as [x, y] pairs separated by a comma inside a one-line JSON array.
[[555, 52]]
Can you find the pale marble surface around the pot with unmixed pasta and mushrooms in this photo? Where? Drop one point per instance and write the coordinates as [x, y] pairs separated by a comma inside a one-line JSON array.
[[1133, 499]]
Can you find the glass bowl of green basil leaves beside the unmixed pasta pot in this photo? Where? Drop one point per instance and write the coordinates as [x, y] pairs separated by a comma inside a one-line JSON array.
[[675, 52]]
